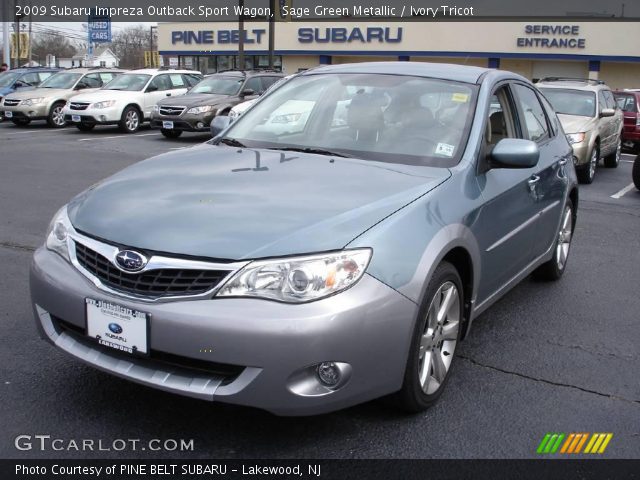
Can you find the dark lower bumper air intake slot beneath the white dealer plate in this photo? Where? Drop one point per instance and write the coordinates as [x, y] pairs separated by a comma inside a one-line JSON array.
[[156, 358]]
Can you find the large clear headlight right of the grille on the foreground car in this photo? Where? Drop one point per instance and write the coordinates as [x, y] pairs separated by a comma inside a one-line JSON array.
[[298, 279]]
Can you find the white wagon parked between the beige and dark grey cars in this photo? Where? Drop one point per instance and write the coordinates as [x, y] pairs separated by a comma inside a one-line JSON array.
[[128, 100]]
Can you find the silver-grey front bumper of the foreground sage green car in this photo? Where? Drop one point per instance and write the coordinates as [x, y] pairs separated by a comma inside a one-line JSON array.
[[255, 352]]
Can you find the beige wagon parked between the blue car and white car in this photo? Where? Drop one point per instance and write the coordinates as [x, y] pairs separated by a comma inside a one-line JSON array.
[[47, 101]]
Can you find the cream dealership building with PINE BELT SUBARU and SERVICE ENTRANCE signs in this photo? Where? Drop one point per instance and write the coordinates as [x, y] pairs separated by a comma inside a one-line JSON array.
[[609, 51]]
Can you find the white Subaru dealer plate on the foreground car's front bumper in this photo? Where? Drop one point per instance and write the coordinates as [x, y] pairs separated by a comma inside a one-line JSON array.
[[117, 327]]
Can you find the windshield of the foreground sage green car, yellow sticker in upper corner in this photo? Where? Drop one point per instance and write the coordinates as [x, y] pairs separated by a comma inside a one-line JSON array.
[[391, 118]]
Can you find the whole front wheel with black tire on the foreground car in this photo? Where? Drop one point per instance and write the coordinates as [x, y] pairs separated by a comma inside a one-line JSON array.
[[433, 341]]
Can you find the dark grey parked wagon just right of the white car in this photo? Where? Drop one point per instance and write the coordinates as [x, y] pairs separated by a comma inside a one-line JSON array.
[[214, 95]]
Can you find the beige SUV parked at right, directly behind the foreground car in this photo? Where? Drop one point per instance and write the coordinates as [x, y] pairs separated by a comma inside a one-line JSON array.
[[591, 118]]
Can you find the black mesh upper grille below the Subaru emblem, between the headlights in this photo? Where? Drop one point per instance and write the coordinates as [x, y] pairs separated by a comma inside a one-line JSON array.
[[164, 282]]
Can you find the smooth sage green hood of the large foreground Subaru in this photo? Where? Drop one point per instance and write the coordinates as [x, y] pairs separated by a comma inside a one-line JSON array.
[[228, 203]]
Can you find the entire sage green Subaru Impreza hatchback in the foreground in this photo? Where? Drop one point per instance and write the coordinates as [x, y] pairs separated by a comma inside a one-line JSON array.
[[309, 271]]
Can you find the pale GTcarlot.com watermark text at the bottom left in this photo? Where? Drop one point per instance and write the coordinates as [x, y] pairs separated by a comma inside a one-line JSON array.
[[47, 443]]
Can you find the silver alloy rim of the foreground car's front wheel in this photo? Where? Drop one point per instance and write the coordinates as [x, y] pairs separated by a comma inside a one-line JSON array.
[[440, 337]]
